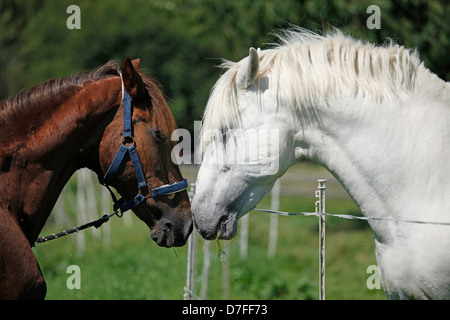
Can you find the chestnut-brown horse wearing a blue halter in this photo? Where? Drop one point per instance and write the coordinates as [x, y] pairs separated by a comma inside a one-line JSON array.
[[52, 130]]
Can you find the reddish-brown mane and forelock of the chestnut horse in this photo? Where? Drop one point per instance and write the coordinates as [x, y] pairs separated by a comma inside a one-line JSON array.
[[54, 91]]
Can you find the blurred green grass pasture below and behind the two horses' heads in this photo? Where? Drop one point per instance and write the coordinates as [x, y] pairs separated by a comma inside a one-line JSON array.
[[132, 266]]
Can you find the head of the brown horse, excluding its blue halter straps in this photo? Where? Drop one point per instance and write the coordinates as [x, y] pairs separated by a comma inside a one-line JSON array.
[[168, 216]]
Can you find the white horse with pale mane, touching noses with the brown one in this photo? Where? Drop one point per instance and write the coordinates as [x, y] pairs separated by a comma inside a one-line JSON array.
[[375, 117]]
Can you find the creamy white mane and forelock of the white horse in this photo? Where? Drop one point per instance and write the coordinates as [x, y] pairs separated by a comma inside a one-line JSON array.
[[307, 68]]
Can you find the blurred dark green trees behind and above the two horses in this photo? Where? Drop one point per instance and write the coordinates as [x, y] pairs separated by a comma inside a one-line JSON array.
[[180, 42]]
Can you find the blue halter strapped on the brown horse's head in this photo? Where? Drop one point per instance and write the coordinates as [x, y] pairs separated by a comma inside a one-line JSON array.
[[131, 150]]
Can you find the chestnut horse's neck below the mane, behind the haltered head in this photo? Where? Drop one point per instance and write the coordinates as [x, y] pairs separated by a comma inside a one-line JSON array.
[[39, 153]]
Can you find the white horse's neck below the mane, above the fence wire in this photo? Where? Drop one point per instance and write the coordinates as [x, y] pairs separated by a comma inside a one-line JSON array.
[[391, 157]]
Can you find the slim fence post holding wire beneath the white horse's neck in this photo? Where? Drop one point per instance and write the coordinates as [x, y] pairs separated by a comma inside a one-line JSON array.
[[320, 209]]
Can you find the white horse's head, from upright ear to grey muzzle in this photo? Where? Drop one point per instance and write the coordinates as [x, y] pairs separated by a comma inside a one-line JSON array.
[[244, 139]]
